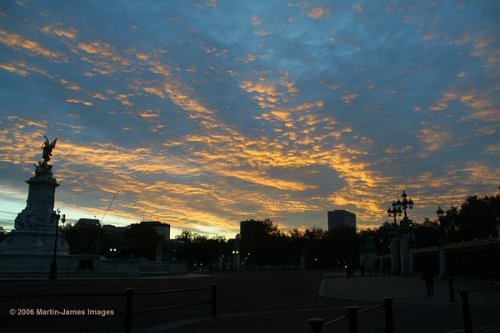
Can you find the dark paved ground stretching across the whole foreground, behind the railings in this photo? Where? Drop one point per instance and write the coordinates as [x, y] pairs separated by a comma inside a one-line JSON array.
[[247, 302]]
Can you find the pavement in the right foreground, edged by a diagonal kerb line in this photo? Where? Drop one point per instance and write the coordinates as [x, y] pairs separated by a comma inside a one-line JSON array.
[[414, 311]]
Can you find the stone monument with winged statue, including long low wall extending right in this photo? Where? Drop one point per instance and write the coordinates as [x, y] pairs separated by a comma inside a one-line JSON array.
[[35, 246]]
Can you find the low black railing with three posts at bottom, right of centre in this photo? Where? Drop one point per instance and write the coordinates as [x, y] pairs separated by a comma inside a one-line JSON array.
[[317, 324]]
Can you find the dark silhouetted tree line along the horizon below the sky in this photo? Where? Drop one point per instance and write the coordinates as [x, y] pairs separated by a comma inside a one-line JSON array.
[[266, 244]]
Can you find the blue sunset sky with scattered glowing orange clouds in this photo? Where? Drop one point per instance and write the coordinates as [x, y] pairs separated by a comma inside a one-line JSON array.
[[206, 113]]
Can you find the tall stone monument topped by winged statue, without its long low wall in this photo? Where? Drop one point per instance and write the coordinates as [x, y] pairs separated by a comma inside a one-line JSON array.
[[30, 245]]
